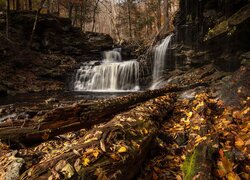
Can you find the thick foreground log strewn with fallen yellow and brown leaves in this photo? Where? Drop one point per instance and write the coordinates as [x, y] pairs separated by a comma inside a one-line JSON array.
[[116, 149]]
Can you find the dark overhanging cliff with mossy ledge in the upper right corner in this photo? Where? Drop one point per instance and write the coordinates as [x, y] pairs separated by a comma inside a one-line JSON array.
[[214, 30]]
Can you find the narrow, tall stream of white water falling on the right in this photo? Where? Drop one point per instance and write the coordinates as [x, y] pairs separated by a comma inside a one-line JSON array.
[[159, 62]]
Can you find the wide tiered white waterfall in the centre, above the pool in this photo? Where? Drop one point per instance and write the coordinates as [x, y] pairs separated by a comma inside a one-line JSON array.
[[112, 74]]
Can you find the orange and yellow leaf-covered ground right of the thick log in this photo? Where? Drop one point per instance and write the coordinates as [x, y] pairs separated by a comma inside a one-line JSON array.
[[203, 121]]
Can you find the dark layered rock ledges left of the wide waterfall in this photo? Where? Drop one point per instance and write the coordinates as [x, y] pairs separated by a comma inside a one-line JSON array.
[[55, 50]]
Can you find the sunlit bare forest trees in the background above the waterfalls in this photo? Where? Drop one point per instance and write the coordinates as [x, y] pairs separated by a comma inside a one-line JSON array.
[[122, 19]]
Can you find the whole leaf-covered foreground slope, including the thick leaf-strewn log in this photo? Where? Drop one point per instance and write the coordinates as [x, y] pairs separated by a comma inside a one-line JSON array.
[[200, 132]]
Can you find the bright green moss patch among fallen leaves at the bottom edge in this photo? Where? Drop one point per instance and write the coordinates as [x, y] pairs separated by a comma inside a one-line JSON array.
[[189, 166]]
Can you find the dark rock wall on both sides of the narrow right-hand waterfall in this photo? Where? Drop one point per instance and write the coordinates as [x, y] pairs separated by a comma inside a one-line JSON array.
[[206, 32]]
